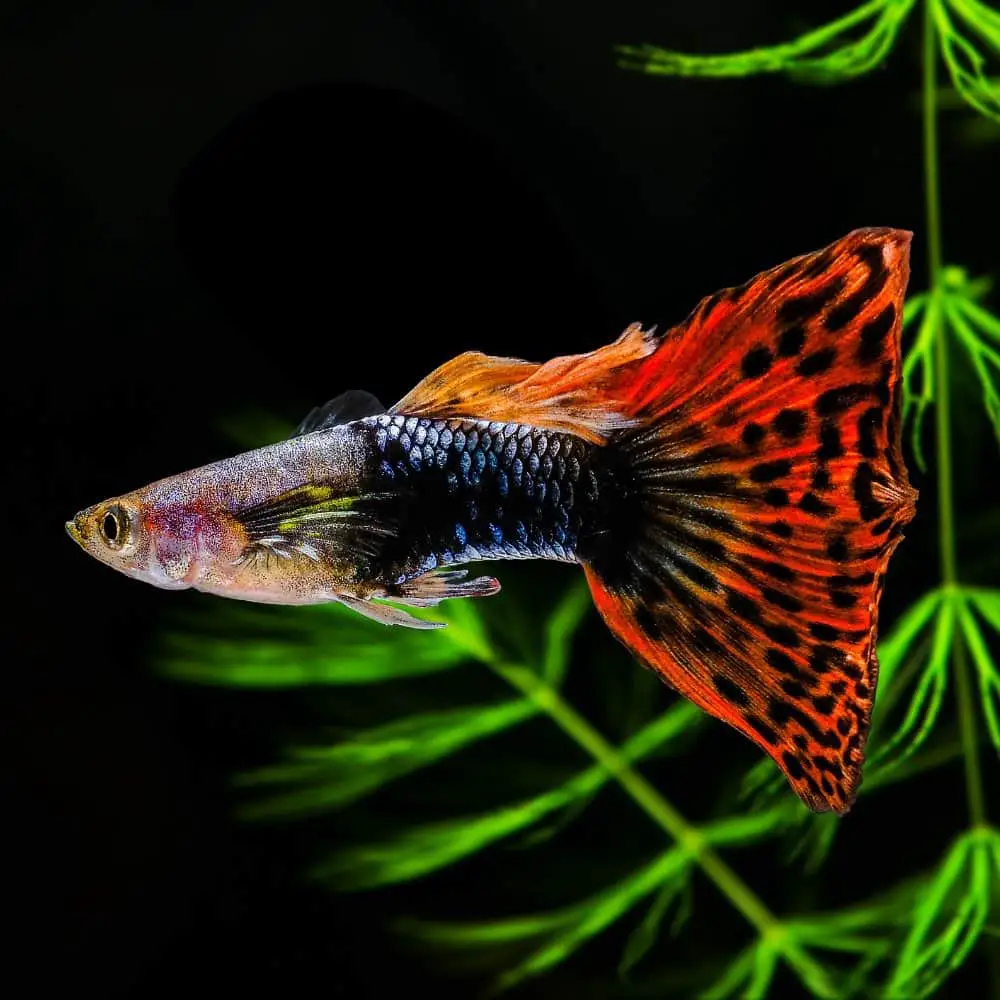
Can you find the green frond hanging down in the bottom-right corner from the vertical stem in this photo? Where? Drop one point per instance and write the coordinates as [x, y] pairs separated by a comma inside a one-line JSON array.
[[948, 916]]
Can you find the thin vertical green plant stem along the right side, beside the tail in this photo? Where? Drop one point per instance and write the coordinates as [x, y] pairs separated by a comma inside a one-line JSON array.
[[949, 558]]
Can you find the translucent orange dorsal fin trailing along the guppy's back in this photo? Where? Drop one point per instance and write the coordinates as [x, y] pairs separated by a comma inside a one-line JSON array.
[[569, 394]]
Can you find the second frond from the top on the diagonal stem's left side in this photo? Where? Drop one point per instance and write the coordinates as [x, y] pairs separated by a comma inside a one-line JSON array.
[[317, 779]]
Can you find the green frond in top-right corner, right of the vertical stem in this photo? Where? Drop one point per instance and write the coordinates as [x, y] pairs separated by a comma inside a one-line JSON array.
[[966, 63]]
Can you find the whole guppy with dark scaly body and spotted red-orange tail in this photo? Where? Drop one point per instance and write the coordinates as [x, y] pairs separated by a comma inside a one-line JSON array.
[[733, 488]]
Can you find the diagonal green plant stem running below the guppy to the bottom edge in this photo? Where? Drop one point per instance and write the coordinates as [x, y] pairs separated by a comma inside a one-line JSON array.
[[663, 813]]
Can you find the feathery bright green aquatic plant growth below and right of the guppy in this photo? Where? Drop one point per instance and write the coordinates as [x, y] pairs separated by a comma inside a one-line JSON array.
[[494, 730]]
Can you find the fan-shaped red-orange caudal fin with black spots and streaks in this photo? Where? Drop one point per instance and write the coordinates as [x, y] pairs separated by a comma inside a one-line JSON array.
[[767, 494]]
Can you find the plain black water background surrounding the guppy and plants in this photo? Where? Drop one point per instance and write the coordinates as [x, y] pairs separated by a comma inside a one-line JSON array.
[[207, 210]]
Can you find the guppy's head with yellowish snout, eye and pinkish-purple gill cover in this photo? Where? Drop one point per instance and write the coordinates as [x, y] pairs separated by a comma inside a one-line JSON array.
[[158, 535]]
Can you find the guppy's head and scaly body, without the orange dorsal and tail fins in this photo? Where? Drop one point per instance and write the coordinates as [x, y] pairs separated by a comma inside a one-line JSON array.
[[358, 510]]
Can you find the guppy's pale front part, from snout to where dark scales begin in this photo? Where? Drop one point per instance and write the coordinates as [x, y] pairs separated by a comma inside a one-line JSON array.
[[281, 524]]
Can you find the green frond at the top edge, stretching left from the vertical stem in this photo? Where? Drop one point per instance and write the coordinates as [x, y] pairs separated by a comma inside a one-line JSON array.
[[825, 54]]
